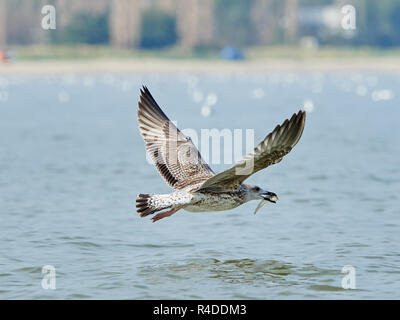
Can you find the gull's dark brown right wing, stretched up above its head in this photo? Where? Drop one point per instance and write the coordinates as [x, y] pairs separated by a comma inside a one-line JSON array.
[[270, 151]]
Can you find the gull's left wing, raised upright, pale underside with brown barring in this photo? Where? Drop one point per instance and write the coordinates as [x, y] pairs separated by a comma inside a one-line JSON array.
[[175, 156]]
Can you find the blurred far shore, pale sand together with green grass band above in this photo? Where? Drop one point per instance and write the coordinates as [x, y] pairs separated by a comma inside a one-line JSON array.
[[92, 59]]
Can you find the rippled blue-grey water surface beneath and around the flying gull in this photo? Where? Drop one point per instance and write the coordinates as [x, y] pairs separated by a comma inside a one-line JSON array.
[[72, 162]]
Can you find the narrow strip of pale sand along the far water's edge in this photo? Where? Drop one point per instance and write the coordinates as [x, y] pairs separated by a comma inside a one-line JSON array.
[[161, 65]]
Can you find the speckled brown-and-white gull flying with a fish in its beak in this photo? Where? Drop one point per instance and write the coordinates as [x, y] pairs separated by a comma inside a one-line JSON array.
[[196, 187]]
